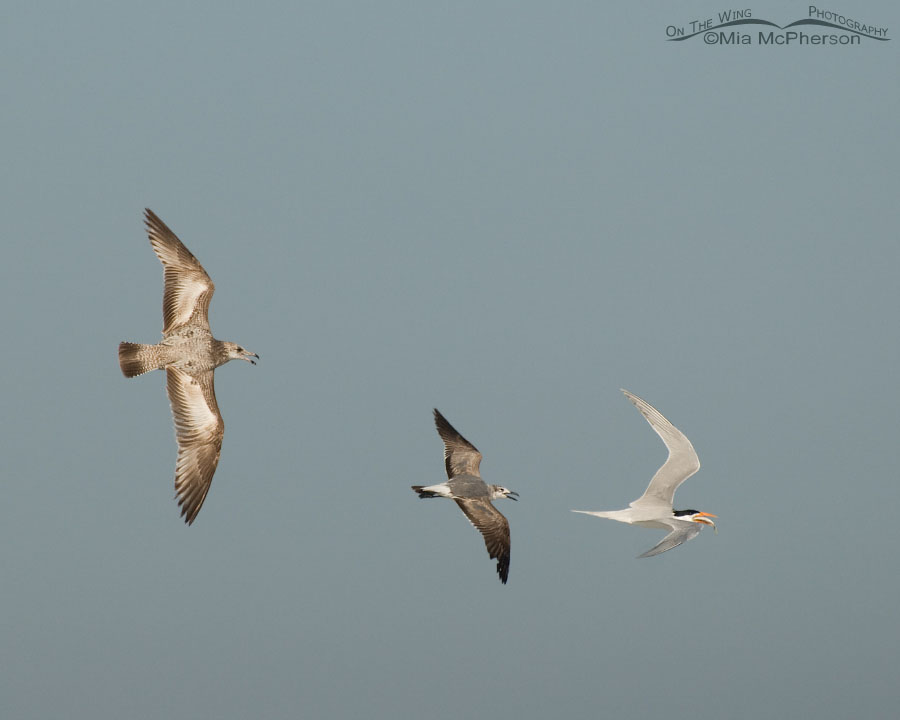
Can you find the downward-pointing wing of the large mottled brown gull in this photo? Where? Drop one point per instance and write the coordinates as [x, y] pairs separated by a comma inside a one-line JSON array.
[[199, 430]]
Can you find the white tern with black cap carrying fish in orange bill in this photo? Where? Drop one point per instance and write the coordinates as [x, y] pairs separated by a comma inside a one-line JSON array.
[[654, 508]]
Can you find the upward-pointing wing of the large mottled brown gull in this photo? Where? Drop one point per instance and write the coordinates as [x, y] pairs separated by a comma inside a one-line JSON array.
[[187, 289]]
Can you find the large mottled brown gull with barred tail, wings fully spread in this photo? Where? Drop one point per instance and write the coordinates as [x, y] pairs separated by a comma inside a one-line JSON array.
[[190, 354]]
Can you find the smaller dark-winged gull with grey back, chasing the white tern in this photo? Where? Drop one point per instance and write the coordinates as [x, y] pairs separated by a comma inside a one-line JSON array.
[[472, 494]]
